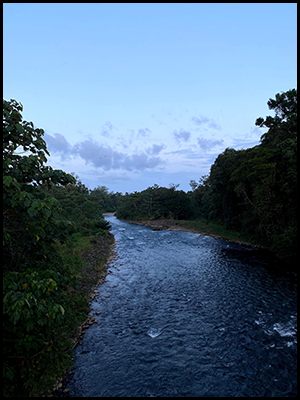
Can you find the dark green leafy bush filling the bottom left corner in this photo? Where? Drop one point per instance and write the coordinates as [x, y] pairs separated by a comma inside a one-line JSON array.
[[36, 348]]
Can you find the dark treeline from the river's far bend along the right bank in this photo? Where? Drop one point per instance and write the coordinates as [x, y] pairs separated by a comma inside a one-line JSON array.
[[253, 191]]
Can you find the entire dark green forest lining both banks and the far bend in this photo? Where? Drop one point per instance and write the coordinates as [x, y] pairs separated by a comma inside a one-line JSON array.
[[48, 213]]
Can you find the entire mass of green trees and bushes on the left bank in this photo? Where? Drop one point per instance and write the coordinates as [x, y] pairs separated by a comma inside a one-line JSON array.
[[41, 305]]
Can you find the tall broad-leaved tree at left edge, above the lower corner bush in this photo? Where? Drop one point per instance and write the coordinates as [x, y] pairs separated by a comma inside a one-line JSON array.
[[28, 213]]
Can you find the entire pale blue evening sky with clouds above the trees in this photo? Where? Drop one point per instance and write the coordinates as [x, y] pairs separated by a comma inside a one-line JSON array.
[[132, 95]]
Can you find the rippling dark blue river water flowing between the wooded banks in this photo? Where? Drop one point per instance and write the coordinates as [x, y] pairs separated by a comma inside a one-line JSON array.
[[188, 315]]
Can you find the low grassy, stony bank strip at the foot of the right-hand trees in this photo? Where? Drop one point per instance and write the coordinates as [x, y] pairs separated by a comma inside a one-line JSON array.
[[200, 226]]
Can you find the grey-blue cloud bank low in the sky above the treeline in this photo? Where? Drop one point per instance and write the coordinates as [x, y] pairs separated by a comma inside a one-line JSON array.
[[115, 157]]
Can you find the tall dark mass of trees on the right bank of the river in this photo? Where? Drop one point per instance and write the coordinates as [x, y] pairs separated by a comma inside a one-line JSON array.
[[255, 190]]
